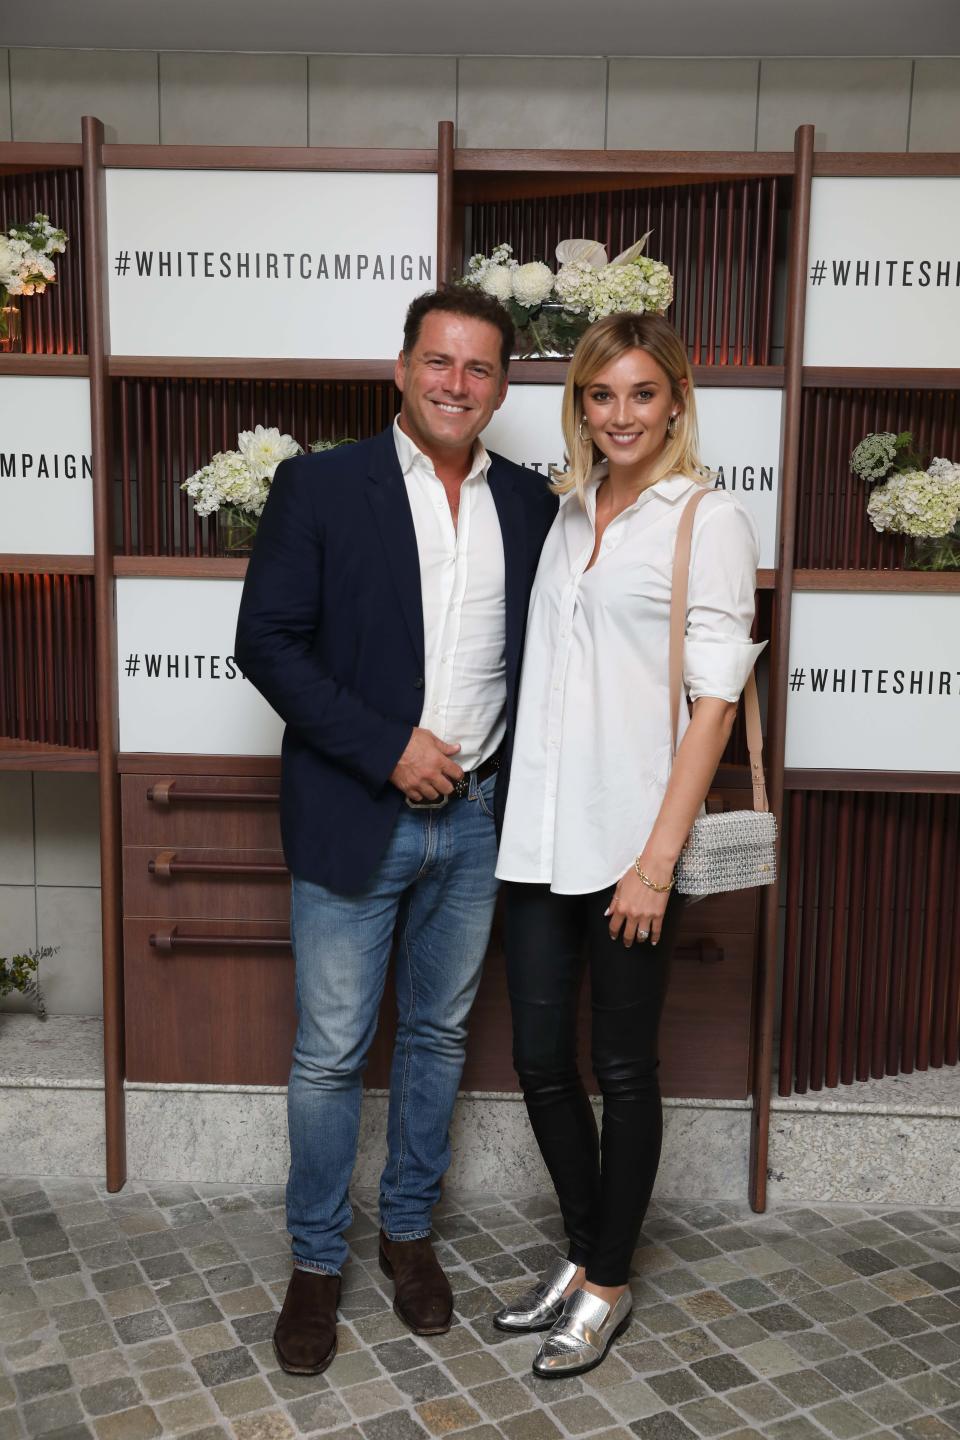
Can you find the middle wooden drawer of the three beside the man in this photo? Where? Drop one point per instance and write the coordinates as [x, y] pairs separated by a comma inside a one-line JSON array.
[[214, 885]]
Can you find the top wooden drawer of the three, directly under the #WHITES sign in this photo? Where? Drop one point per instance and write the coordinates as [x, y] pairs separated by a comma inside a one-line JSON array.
[[225, 811]]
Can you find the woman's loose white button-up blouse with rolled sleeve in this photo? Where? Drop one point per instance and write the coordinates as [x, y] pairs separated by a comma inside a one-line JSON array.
[[592, 750]]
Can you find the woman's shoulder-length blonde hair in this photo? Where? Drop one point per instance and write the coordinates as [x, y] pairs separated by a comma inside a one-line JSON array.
[[607, 341]]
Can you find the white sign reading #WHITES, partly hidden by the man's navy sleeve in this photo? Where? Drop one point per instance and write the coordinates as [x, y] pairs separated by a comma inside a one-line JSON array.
[[181, 688]]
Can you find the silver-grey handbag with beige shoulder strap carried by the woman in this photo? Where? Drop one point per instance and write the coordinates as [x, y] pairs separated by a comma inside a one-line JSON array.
[[735, 850]]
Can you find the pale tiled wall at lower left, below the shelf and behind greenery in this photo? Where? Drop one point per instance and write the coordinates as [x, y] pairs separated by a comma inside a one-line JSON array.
[[50, 885]]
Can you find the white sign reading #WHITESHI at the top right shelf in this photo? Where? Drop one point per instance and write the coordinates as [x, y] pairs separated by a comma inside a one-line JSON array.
[[884, 273]]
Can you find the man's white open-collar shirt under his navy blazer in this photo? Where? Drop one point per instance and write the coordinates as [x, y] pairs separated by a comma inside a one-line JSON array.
[[464, 611]]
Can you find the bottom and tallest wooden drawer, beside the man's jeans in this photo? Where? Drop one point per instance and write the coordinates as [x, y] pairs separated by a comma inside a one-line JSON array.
[[217, 1007]]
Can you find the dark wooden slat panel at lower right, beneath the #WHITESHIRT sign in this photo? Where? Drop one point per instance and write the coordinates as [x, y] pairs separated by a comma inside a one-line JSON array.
[[871, 977]]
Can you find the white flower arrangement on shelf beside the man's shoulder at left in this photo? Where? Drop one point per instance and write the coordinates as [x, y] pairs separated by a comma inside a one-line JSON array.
[[238, 483]]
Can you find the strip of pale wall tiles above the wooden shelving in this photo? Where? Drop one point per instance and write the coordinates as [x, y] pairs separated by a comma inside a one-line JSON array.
[[373, 100]]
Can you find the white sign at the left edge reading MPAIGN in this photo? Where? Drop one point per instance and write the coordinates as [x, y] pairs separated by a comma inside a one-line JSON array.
[[47, 476]]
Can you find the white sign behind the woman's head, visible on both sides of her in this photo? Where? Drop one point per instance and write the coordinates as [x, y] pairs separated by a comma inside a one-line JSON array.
[[739, 431]]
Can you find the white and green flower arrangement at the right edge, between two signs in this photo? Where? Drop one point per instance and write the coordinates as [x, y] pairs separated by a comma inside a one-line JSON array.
[[912, 500]]
